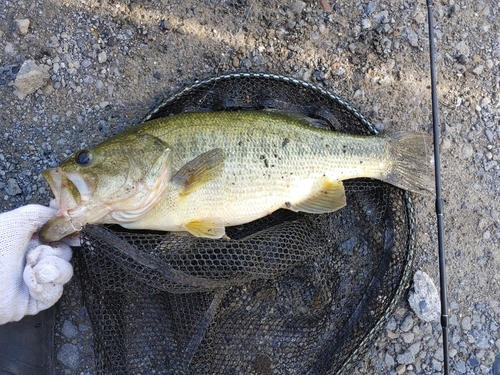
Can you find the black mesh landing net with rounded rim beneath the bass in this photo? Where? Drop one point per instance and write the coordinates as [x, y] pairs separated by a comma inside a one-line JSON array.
[[291, 293]]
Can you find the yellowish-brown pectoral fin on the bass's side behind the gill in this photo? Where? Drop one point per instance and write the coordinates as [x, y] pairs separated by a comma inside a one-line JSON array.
[[200, 171]]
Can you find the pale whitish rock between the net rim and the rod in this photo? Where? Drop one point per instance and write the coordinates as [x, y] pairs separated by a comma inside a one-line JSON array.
[[424, 298]]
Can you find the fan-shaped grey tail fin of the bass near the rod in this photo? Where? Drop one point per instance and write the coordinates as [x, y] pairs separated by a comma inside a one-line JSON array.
[[412, 166]]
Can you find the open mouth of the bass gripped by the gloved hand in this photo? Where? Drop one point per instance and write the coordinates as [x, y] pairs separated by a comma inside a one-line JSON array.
[[71, 191]]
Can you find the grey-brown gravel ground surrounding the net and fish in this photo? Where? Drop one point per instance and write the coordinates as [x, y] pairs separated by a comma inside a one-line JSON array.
[[72, 72]]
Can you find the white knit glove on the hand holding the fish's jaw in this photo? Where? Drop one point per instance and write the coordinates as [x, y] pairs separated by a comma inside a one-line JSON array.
[[32, 275]]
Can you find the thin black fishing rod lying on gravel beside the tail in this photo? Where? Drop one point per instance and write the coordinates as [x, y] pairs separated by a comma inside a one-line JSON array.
[[439, 201]]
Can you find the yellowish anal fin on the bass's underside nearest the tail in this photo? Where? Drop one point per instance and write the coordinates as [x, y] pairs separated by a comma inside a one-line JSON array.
[[330, 197]]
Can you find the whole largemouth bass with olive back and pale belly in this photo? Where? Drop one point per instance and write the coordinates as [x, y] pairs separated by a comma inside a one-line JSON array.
[[201, 172]]
